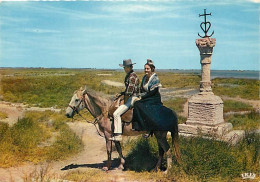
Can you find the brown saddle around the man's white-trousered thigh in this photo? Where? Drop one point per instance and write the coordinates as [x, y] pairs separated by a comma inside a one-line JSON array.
[[127, 116]]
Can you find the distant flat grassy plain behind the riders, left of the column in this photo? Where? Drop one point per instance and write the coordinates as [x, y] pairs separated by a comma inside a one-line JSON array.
[[54, 87]]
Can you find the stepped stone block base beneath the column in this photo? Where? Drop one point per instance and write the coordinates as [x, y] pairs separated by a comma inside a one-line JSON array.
[[205, 119]]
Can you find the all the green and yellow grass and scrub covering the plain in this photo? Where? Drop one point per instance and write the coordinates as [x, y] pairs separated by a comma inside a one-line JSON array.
[[203, 160]]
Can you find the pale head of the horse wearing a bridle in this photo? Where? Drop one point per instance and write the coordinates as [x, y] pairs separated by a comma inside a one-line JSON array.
[[76, 104]]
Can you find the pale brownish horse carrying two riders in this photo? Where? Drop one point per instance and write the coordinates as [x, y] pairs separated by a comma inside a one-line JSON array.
[[98, 106]]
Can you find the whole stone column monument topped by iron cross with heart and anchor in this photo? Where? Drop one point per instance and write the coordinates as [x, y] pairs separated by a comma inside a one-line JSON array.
[[205, 110]]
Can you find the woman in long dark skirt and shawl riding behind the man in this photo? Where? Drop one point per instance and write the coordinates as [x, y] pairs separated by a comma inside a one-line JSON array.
[[149, 113]]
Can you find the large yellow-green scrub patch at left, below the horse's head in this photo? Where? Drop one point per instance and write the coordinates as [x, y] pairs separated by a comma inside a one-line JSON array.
[[22, 142]]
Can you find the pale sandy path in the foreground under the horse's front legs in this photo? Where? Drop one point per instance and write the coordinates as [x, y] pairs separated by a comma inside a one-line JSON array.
[[92, 156]]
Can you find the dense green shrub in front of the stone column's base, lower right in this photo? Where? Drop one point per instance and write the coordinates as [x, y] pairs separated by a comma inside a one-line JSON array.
[[208, 158]]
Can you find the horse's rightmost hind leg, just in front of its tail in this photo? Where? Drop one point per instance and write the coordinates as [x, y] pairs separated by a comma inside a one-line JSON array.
[[162, 141]]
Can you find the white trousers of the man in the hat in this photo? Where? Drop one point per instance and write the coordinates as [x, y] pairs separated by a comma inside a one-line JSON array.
[[121, 110]]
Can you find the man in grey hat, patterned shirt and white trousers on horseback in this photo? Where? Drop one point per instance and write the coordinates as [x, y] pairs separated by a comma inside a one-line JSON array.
[[130, 93]]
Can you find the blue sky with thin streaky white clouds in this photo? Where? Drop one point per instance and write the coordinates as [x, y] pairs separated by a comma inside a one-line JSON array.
[[101, 34]]
